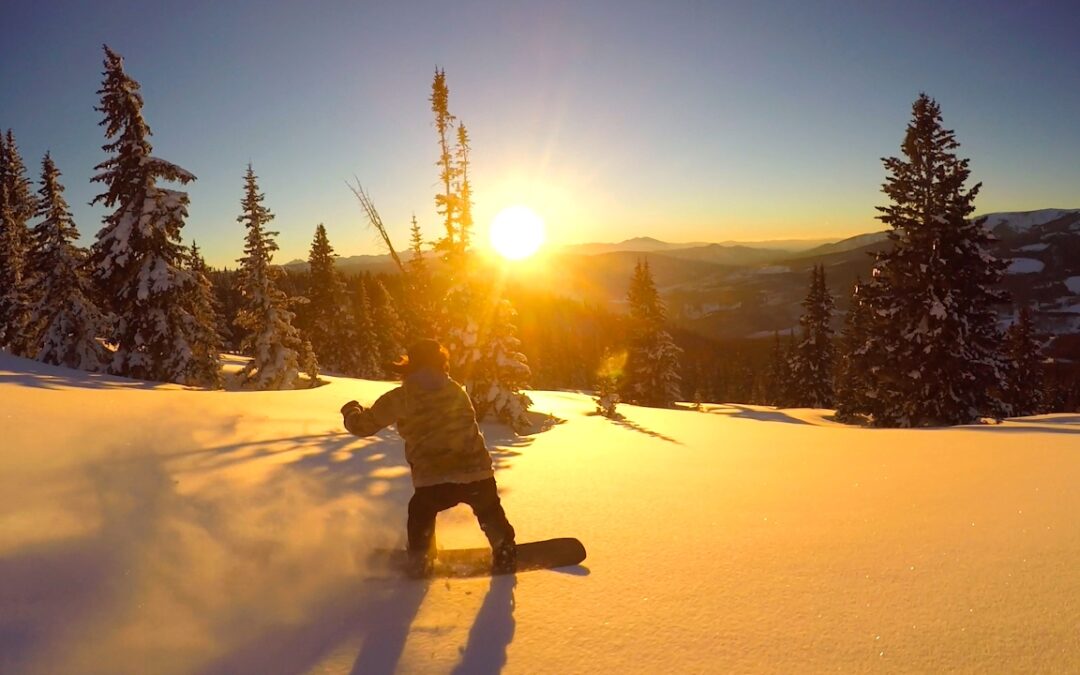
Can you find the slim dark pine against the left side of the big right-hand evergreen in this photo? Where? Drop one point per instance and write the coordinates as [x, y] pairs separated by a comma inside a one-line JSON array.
[[854, 369]]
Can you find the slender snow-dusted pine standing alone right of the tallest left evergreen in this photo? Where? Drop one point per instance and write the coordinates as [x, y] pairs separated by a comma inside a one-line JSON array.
[[278, 352]]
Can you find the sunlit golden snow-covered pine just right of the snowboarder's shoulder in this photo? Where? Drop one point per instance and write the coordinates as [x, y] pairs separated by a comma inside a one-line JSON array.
[[502, 372]]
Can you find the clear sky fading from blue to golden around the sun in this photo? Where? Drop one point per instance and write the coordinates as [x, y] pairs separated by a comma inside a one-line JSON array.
[[685, 121]]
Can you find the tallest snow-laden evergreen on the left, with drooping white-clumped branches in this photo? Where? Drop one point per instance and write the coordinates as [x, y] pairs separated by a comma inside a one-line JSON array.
[[139, 258]]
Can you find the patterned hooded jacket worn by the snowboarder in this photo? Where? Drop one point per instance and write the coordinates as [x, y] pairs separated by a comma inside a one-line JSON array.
[[435, 416]]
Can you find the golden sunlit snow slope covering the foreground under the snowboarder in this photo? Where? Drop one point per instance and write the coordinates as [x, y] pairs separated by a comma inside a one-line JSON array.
[[156, 529]]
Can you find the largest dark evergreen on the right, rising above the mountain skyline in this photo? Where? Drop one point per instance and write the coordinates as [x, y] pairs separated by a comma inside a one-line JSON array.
[[936, 327]]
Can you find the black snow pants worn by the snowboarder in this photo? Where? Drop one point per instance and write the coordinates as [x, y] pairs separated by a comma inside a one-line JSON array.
[[482, 496]]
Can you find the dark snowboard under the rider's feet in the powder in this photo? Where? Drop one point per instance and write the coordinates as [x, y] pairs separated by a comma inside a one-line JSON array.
[[450, 563]]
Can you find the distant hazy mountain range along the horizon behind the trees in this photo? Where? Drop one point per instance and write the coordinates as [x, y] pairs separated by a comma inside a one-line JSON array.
[[754, 289]]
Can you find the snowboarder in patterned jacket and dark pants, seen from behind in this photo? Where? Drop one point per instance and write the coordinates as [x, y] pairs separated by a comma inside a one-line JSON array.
[[447, 451]]
